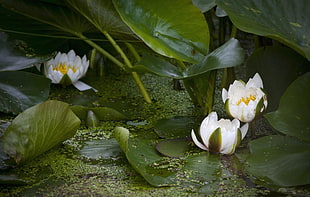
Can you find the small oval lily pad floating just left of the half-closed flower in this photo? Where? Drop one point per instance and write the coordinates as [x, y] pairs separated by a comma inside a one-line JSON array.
[[174, 147]]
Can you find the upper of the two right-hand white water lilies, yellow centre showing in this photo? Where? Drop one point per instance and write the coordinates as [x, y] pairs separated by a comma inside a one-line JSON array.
[[245, 101]]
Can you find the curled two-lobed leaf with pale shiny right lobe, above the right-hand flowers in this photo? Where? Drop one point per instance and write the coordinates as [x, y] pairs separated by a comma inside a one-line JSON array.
[[228, 55]]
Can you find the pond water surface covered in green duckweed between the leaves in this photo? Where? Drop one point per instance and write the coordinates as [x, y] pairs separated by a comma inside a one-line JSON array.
[[93, 164]]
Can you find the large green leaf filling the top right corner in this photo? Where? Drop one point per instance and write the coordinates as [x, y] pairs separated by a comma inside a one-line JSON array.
[[286, 21]]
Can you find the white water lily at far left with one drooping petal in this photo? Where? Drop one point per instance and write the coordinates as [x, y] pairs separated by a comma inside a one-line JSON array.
[[67, 69]]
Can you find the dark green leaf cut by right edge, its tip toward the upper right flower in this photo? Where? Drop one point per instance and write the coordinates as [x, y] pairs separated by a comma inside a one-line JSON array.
[[293, 115]]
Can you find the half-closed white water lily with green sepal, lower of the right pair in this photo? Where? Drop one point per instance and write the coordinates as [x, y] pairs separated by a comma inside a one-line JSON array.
[[220, 136]]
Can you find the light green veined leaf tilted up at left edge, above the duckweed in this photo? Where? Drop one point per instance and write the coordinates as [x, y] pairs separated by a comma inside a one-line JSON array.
[[38, 129]]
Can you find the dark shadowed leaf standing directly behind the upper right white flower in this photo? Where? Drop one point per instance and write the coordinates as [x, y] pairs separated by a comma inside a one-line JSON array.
[[278, 67]]
